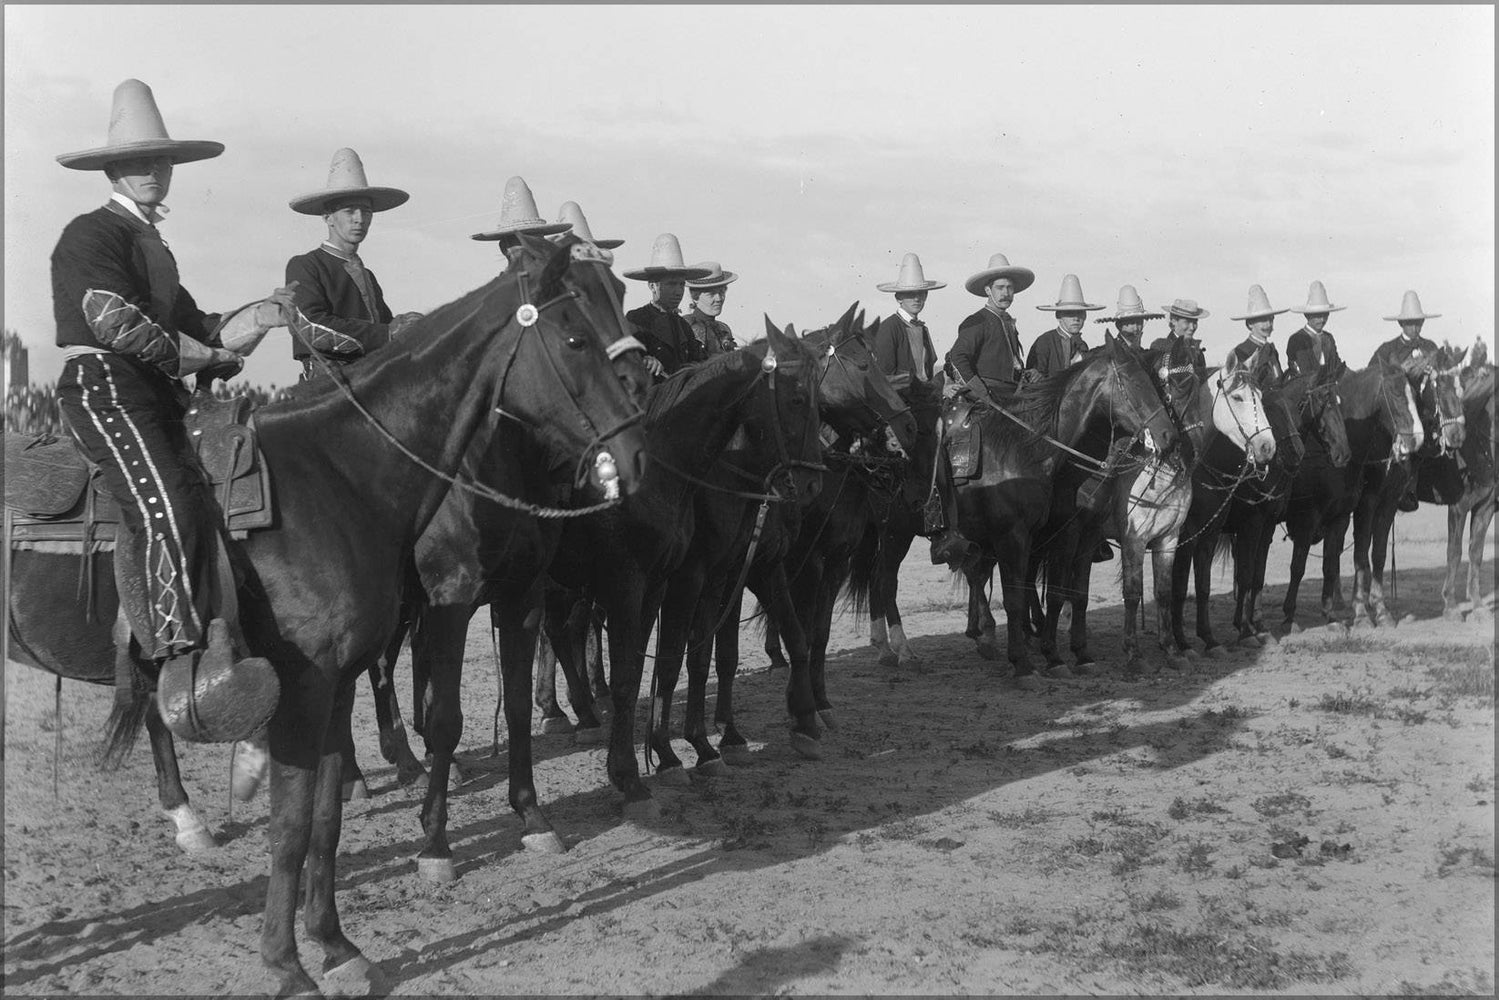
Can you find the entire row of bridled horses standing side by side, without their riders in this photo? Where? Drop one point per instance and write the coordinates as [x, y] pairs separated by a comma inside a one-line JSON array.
[[779, 467]]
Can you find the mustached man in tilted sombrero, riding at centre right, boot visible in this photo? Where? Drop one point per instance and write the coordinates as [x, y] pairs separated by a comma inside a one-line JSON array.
[[983, 362]]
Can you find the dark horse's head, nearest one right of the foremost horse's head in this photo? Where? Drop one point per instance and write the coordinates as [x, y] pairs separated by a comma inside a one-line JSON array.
[[782, 419]]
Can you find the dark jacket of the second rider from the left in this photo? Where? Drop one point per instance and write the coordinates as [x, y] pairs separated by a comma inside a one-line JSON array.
[[349, 325]]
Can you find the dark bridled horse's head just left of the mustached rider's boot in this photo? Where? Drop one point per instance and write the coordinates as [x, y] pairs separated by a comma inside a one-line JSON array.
[[854, 397]]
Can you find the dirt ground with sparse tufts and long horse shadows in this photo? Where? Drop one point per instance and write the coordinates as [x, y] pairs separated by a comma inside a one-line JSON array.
[[1317, 816]]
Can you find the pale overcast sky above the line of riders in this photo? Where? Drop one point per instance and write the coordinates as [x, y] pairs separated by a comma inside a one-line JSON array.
[[1189, 152]]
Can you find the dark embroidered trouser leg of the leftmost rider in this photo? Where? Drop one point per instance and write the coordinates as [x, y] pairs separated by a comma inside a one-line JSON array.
[[130, 422]]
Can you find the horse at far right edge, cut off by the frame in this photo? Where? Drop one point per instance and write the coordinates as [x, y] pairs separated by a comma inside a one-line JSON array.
[[1476, 500]]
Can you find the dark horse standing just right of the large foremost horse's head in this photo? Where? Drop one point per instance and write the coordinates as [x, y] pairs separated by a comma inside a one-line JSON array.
[[626, 558]]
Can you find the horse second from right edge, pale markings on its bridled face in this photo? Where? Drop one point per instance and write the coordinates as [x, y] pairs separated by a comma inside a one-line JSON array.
[[1440, 404]]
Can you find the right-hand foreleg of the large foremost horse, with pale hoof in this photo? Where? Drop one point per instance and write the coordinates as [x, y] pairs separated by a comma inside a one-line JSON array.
[[346, 971]]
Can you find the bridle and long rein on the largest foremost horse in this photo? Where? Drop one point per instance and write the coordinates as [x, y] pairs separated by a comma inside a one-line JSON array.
[[527, 317]]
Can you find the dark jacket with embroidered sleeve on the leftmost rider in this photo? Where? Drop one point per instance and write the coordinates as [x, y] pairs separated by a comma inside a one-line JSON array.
[[116, 287]]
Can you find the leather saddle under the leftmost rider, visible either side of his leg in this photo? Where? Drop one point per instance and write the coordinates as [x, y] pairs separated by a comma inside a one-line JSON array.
[[55, 496]]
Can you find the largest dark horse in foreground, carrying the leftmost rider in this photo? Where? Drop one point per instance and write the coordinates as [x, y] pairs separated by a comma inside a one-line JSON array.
[[323, 582]]
